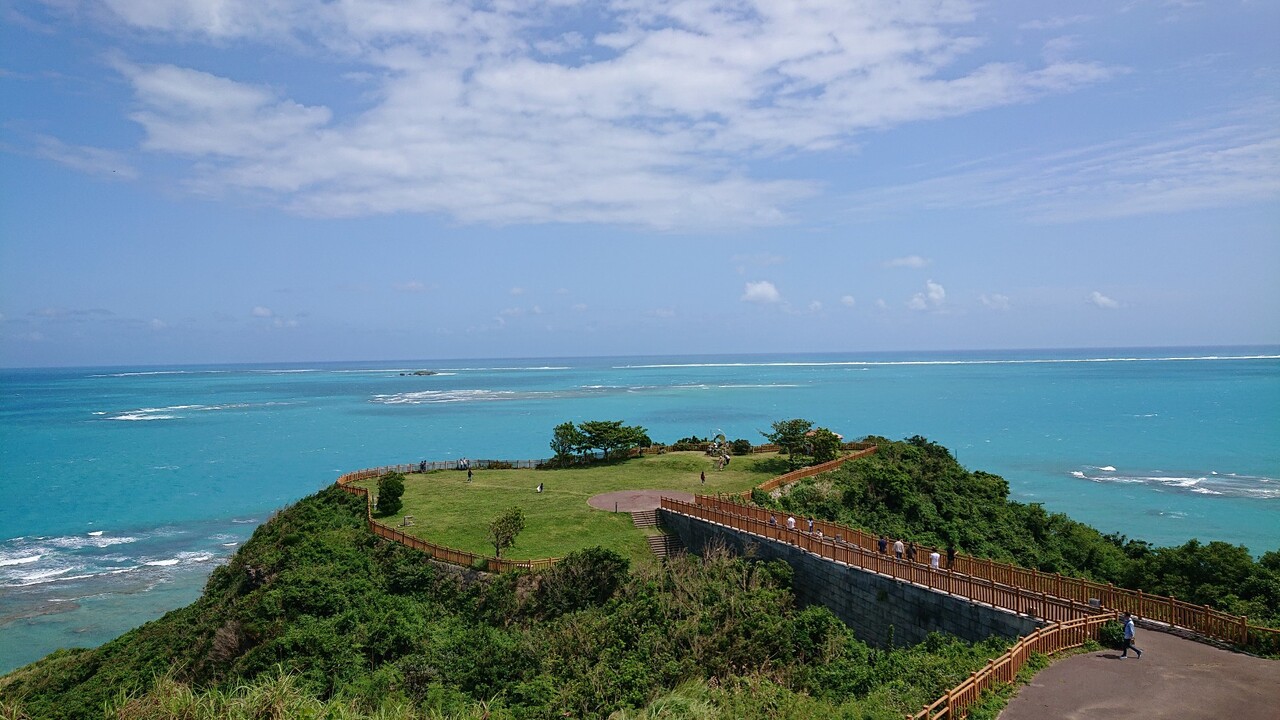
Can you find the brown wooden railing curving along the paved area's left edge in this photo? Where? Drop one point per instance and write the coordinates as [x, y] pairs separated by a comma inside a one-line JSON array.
[[1004, 669]]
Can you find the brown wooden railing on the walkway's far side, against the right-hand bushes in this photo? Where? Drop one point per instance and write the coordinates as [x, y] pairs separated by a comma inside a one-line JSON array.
[[1196, 618]]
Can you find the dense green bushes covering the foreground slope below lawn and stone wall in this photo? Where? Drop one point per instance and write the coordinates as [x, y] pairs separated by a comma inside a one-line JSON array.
[[331, 622]]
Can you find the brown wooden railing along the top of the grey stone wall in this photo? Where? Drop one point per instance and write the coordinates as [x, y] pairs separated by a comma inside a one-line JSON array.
[[977, 590]]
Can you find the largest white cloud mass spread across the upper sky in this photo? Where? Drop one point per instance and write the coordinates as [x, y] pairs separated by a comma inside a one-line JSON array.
[[499, 113]]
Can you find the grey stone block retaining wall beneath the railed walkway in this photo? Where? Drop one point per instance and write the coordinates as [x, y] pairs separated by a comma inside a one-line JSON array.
[[879, 609]]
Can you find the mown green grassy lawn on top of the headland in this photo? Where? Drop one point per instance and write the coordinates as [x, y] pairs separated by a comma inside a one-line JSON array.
[[449, 511]]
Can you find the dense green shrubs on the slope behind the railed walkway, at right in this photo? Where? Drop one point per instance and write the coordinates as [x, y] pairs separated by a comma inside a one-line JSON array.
[[917, 491]]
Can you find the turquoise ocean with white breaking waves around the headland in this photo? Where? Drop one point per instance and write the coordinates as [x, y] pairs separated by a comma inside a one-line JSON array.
[[124, 487]]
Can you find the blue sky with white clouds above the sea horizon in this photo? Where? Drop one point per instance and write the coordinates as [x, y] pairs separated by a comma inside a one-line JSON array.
[[213, 181]]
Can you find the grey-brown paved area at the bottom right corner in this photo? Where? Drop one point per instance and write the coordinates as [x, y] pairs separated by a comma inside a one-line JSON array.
[[1176, 678]]
